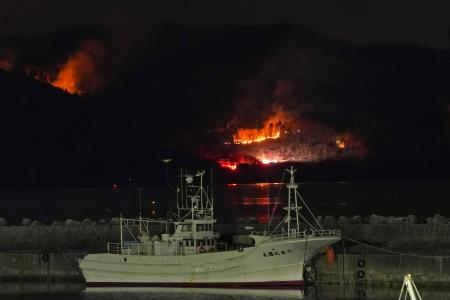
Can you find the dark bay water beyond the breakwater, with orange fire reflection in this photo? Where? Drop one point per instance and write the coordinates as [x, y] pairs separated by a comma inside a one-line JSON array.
[[232, 201]]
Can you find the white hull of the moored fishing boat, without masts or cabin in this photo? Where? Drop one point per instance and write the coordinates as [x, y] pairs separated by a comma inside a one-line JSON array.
[[269, 264]]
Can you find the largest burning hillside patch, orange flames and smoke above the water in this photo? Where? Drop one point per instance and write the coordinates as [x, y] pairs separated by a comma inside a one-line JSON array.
[[281, 138]]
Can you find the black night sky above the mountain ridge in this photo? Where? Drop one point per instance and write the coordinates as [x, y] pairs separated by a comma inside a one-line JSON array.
[[402, 21]]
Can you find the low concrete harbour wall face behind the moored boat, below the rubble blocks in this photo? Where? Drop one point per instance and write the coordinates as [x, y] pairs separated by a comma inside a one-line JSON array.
[[385, 270]]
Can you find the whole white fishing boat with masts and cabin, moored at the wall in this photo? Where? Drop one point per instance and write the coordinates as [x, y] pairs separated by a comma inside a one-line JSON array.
[[190, 253]]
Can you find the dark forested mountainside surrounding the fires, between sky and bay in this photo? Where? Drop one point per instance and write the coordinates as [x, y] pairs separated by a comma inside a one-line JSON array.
[[166, 86]]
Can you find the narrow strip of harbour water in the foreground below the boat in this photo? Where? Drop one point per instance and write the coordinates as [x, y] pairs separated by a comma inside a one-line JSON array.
[[77, 292]]
